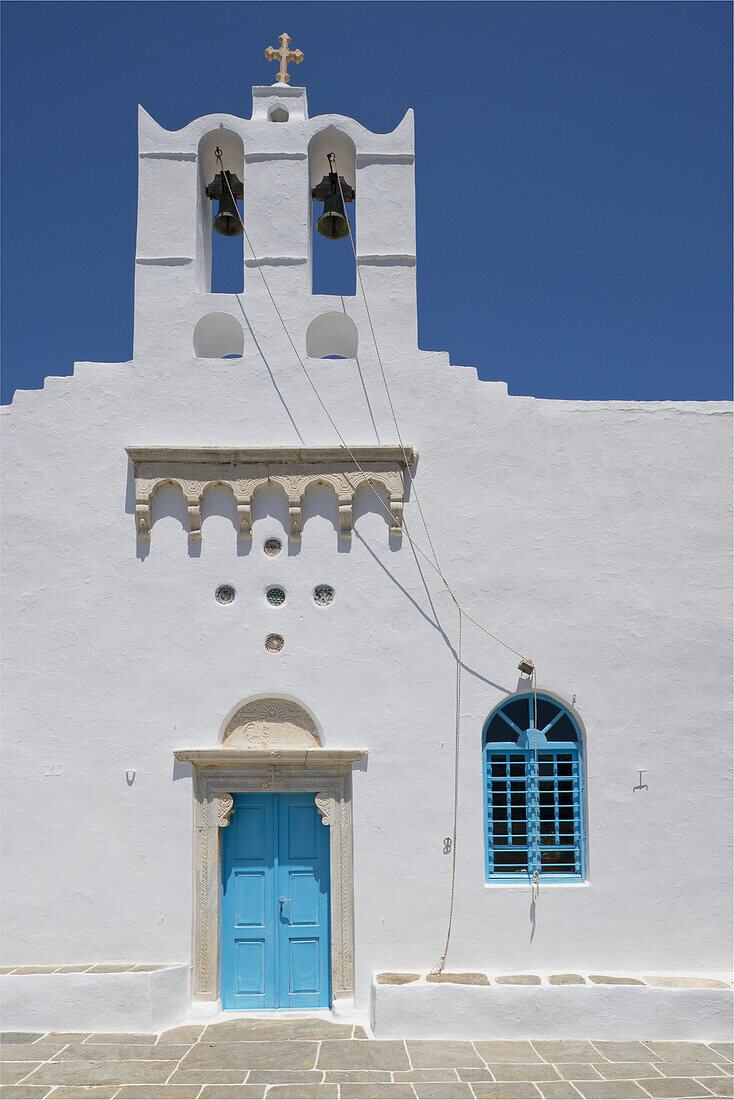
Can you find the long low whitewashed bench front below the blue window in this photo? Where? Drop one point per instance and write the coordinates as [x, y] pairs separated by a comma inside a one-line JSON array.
[[544, 1013]]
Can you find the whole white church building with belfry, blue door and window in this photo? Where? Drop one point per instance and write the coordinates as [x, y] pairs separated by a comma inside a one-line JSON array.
[[267, 590]]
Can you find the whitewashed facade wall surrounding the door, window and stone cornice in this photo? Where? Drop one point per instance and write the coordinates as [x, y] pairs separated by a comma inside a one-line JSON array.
[[594, 536]]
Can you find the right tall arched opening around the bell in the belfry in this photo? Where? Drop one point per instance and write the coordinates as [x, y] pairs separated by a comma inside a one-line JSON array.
[[334, 269]]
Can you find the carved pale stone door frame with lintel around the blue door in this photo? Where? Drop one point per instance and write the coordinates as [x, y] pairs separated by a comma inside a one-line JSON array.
[[218, 775]]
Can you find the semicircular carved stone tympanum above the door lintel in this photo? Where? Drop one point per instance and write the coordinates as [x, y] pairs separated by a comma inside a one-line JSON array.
[[271, 722]]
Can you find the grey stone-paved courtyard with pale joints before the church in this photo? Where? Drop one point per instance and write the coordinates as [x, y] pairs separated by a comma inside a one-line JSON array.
[[316, 1059]]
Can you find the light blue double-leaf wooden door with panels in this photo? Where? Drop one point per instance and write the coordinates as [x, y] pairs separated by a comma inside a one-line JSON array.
[[276, 941]]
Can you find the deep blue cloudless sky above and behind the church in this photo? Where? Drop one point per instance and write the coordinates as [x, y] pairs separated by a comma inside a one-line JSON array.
[[573, 173]]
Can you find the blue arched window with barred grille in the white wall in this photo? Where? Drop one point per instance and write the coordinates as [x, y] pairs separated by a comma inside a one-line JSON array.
[[521, 801]]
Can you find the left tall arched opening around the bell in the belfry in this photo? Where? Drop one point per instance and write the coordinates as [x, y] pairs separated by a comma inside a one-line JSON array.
[[221, 259]]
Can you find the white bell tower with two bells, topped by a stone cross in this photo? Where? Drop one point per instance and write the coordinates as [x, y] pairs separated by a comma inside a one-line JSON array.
[[281, 161]]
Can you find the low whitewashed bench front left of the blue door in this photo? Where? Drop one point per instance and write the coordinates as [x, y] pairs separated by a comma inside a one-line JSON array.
[[143, 1003]]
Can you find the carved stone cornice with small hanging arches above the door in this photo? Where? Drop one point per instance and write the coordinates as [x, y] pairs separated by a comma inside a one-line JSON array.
[[247, 470]]
